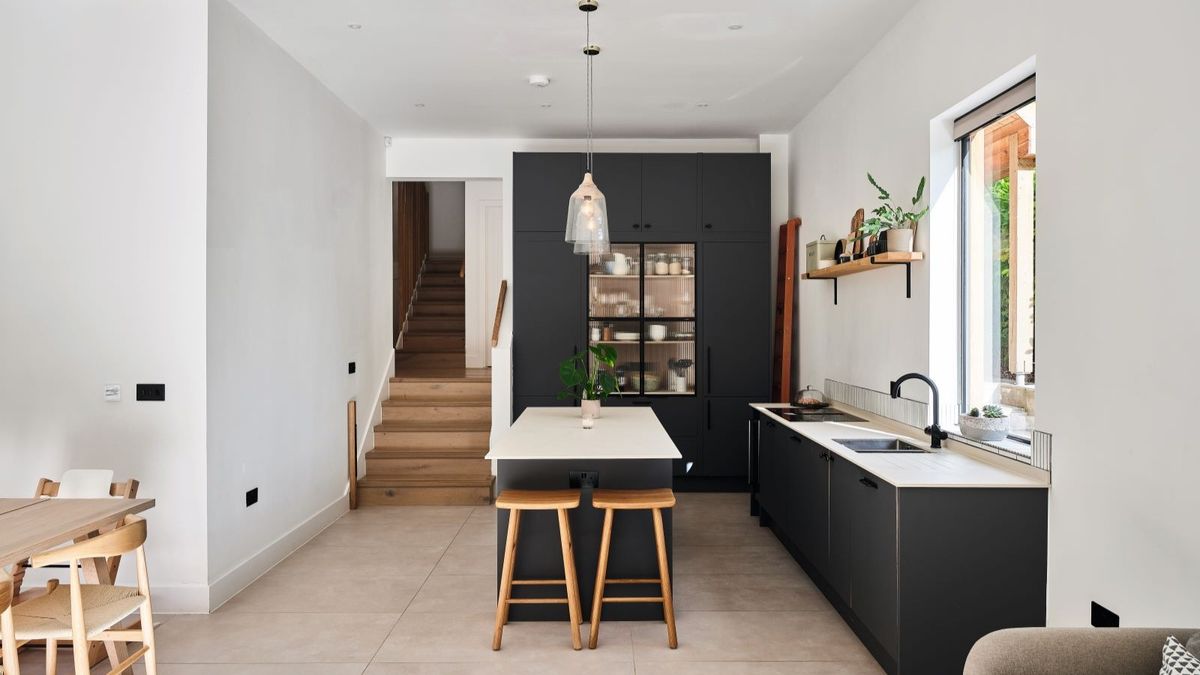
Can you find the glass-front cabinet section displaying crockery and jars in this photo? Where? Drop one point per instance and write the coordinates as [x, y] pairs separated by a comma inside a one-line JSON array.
[[643, 303]]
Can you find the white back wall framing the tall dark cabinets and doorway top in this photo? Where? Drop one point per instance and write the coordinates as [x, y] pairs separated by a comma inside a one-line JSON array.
[[443, 159]]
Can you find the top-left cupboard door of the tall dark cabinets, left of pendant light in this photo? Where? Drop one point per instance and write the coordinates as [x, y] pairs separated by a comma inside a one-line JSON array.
[[542, 188]]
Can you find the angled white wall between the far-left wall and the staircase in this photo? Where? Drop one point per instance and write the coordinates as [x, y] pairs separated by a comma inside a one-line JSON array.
[[297, 208]]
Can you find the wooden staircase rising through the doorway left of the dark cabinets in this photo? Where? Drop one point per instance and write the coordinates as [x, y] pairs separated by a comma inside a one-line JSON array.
[[436, 423]]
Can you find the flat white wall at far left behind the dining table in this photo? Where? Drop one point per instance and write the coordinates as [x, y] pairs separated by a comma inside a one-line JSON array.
[[103, 270]]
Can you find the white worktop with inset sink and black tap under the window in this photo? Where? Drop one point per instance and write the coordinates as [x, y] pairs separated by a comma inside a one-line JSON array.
[[955, 465]]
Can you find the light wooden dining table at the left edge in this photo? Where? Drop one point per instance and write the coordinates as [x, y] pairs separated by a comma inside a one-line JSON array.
[[29, 527]]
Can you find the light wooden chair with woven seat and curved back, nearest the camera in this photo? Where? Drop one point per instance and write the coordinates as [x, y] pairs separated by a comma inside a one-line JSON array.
[[85, 613]]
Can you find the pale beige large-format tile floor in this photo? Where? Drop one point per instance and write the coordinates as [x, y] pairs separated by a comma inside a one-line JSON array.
[[412, 592]]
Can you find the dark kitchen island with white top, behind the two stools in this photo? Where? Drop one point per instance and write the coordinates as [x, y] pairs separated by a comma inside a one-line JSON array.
[[548, 449]]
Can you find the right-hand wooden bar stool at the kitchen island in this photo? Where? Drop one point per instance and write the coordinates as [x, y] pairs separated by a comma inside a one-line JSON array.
[[628, 500]]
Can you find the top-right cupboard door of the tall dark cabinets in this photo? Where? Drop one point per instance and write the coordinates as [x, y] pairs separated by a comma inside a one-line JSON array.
[[736, 195]]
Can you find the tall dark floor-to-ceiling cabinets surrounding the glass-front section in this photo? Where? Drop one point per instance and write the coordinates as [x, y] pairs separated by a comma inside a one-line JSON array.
[[718, 204]]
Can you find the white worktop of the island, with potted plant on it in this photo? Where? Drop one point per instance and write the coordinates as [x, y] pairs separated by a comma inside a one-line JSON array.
[[557, 433]]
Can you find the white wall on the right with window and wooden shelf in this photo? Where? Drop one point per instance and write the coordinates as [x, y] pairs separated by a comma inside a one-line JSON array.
[[1114, 303]]
